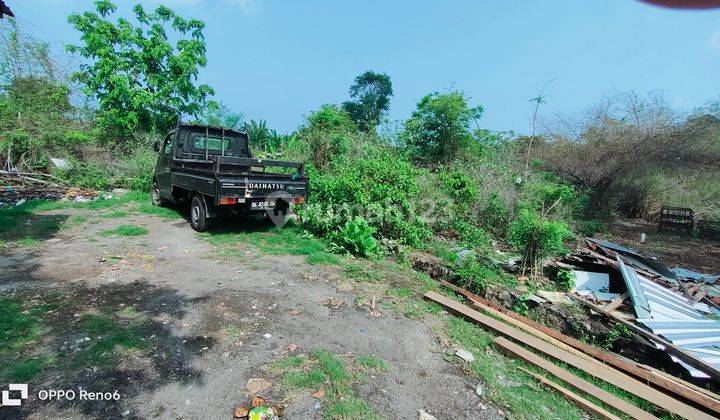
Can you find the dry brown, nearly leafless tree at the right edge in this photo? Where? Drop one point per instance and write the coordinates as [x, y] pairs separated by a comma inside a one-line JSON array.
[[611, 149]]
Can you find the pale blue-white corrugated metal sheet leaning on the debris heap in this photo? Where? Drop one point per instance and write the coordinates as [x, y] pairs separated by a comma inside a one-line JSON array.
[[674, 317]]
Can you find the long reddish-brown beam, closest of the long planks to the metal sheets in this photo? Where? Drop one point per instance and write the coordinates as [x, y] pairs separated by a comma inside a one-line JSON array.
[[653, 376]]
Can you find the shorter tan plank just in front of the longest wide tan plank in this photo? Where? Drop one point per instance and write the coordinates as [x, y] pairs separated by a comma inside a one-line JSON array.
[[513, 350]]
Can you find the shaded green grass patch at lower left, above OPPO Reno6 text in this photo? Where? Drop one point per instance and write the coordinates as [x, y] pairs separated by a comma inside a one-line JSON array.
[[29, 322]]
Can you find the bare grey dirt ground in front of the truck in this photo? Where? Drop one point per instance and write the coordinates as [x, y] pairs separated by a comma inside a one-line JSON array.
[[215, 323]]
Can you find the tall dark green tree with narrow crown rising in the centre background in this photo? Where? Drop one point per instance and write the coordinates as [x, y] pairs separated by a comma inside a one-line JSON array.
[[371, 93]]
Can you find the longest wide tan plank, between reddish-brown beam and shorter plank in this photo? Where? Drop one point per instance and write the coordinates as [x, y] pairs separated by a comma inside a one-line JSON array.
[[605, 373]]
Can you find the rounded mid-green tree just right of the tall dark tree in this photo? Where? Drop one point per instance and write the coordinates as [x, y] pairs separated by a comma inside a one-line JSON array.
[[439, 129]]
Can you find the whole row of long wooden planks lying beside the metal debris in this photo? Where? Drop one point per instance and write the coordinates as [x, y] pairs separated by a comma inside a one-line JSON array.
[[538, 345]]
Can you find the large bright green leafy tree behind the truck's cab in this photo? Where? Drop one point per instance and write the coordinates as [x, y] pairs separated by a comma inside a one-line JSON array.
[[140, 79]]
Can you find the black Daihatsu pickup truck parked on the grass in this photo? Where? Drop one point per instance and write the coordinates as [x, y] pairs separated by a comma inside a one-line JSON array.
[[213, 169]]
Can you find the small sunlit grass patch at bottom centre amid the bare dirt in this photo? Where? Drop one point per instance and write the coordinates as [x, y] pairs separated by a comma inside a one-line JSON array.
[[324, 370]]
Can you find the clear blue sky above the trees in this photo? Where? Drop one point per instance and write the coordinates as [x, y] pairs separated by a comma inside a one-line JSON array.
[[280, 59]]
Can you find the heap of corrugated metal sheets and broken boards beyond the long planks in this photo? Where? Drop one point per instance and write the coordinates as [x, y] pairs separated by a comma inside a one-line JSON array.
[[676, 304]]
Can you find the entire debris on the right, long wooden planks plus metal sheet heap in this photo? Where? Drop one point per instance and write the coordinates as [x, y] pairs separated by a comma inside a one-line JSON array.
[[672, 310]]
